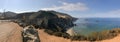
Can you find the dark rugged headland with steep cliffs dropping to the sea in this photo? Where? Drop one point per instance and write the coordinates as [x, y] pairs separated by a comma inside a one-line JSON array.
[[53, 22]]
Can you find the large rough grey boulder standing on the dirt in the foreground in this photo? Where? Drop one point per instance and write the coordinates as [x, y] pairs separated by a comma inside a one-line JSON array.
[[30, 34]]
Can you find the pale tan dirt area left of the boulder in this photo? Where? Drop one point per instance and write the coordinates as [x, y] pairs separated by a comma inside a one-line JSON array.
[[10, 32]]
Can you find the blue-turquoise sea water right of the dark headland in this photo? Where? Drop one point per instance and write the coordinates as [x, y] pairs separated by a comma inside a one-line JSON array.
[[86, 26]]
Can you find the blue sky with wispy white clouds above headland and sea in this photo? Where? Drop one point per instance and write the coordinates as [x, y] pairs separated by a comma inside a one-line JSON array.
[[75, 8]]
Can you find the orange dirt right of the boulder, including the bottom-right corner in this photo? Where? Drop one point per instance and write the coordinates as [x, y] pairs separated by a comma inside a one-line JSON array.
[[44, 37]]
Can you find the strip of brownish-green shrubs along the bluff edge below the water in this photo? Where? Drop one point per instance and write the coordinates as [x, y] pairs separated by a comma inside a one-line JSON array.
[[96, 36]]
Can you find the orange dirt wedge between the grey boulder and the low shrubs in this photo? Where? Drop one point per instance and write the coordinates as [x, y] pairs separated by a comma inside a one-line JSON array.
[[44, 37]]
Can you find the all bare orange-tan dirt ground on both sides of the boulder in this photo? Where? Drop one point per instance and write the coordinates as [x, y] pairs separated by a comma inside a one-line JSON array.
[[11, 32]]
